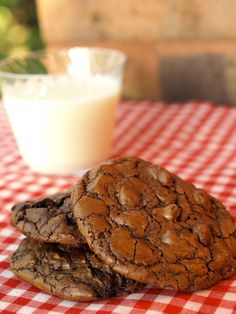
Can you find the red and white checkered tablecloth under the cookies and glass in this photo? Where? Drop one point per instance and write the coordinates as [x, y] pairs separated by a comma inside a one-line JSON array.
[[196, 141]]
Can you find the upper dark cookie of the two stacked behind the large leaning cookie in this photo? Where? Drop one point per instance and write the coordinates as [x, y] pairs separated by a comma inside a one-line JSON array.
[[47, 219]]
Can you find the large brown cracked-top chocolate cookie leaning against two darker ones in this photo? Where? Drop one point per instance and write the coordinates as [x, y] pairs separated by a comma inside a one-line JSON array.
[[154, 227]]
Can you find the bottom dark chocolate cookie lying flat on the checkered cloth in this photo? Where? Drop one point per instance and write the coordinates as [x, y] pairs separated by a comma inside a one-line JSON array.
[[72, 274]]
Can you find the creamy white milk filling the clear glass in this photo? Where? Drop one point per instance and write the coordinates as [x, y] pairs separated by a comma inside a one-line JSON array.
[[63, 127]]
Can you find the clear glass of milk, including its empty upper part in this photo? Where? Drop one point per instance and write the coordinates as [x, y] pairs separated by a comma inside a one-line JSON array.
[[61, 106]]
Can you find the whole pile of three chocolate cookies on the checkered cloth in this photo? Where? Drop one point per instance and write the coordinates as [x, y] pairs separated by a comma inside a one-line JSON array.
[[125, 224]]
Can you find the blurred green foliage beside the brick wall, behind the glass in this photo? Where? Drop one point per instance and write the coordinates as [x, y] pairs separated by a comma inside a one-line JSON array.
[[19, 30]]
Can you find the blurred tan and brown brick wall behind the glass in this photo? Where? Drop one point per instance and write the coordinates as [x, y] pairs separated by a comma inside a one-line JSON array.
[[178, 49]]
